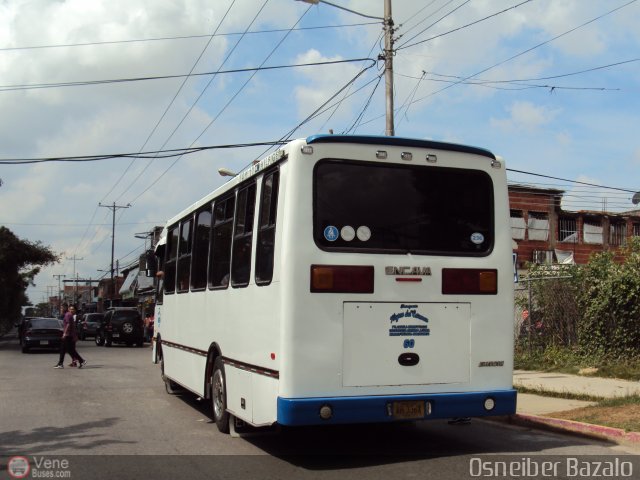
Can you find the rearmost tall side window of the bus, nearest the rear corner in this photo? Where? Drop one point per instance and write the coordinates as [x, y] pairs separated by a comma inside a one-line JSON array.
[[267, 228]]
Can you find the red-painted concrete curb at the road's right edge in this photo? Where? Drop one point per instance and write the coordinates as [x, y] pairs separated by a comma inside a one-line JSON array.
[[616, 435]]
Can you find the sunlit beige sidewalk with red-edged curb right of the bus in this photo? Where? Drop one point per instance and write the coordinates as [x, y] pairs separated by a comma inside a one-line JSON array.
[[533, 410]]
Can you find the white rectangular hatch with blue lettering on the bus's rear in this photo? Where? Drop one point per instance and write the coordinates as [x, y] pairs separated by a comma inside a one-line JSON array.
[[405, 344]]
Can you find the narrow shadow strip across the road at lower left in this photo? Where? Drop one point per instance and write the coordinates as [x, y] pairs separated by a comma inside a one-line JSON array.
[[79, 437]]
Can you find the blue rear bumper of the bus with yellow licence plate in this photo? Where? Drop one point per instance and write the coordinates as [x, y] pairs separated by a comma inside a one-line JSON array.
[[376, 409]]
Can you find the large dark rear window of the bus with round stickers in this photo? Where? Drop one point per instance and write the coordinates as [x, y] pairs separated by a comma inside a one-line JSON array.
[[390, 208]]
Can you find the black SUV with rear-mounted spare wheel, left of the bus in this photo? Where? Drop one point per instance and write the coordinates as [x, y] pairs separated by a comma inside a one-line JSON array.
[[121, 325]]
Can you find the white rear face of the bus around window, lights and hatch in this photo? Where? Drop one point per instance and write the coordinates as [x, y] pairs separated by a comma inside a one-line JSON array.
[[314, 322]]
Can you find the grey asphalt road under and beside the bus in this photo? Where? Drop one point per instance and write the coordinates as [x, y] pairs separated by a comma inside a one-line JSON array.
[[113, 419]]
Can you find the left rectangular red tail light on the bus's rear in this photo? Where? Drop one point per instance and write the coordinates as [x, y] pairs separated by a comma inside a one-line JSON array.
[[341, 279]]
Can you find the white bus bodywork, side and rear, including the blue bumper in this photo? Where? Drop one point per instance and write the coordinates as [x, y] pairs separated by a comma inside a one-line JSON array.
[[289, 351]]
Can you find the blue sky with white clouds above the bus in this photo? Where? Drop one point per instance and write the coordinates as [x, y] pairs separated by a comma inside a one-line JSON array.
[[552, 86]]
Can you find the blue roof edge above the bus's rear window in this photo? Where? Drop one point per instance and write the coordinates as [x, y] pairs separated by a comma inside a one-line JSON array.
[[400, 142]]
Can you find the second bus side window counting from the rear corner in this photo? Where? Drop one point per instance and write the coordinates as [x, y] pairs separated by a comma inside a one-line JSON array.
[[242, 237]]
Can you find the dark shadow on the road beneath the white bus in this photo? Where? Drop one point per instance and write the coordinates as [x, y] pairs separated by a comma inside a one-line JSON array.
[[334, 447]]
